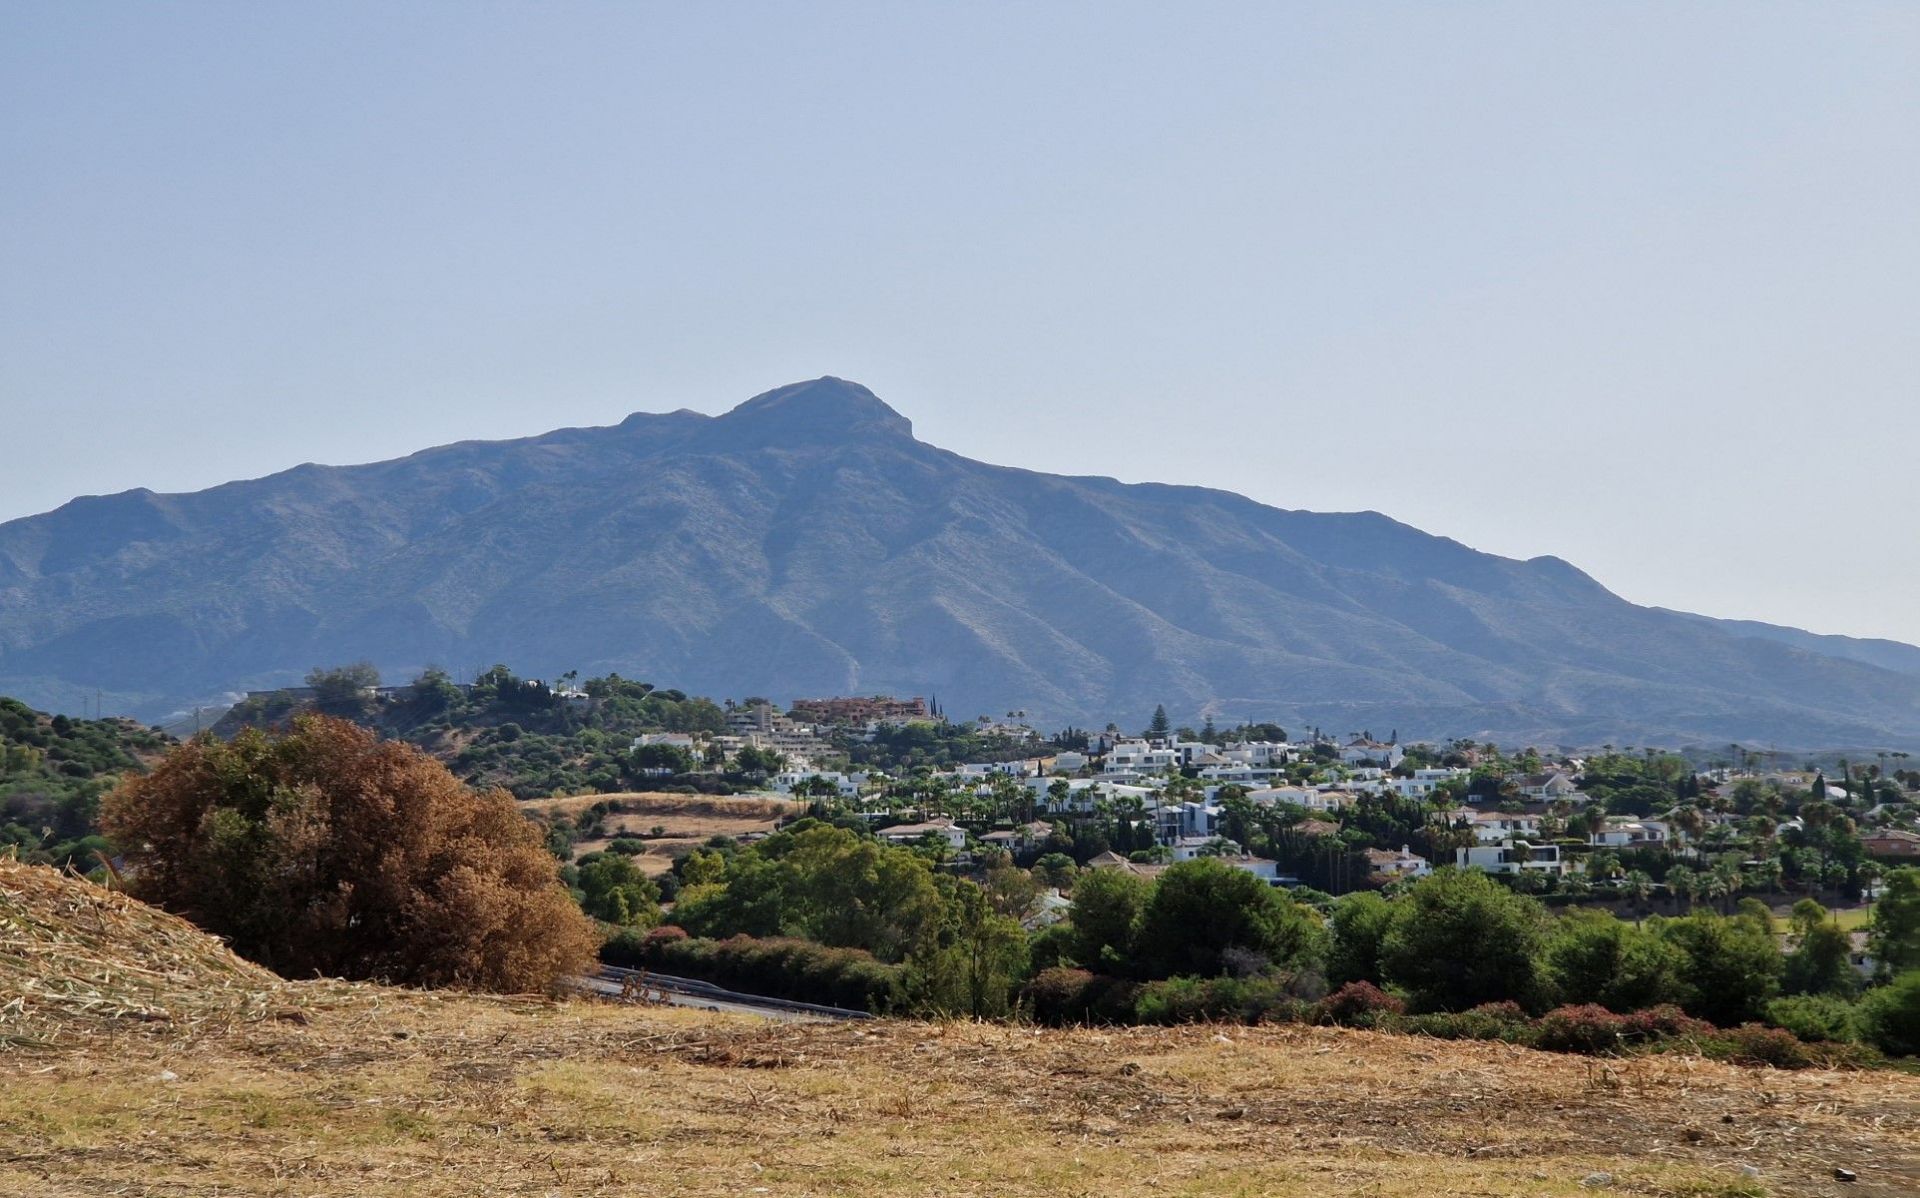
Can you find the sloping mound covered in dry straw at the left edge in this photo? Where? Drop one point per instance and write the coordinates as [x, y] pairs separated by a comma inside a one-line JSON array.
[[84, 961]]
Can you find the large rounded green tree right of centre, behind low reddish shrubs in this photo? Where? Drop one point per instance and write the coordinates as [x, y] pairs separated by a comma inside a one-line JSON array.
[[1462, 940]]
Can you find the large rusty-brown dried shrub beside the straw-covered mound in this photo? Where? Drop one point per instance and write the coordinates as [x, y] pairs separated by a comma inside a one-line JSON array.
[[327, 851]]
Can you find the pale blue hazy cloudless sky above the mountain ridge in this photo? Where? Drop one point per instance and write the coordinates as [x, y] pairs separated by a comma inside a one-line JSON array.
[[1631, 285]]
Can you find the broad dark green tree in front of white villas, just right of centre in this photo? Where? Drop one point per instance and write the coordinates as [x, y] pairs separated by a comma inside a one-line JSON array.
[[1205, 917]]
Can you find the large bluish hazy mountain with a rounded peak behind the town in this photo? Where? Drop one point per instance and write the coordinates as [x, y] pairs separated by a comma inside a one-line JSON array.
[[807, 544]]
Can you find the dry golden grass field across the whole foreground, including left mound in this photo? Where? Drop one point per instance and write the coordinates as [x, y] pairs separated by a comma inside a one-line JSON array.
[[143, 1061]]
